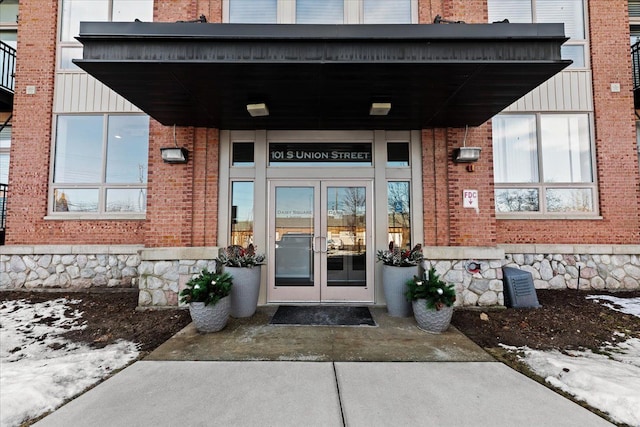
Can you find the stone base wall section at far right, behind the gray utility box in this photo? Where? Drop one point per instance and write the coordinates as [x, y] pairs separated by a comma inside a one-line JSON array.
[[601, 267]]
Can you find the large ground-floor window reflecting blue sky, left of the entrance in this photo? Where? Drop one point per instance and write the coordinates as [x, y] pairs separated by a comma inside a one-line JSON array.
[[100, 164]]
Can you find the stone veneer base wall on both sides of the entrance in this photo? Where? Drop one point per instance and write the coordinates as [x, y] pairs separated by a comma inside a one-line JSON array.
[[160, 273]]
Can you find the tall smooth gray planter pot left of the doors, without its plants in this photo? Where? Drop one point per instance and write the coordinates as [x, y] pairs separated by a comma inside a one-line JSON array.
[[245, 290]]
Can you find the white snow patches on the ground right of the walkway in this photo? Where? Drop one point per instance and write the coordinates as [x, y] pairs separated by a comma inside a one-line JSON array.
[[609, 380]]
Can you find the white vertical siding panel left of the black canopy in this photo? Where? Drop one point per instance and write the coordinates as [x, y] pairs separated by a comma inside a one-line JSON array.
[[81, 93]]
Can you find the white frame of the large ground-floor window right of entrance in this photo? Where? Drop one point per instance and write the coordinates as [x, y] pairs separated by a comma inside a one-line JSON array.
[[541, 186]]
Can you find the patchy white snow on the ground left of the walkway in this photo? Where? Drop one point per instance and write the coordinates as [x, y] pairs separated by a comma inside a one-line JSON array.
[[38, 369]]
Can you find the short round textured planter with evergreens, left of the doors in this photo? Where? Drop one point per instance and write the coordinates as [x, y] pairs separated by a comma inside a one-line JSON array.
[[208, 297]]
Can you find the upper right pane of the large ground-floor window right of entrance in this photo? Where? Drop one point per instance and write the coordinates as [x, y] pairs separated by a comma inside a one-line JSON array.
[[566, 148]]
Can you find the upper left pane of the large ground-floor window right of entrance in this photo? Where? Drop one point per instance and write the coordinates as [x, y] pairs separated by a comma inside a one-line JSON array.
[[515, 154]]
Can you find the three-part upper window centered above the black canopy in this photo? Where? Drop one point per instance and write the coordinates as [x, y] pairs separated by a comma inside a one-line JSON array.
[[321, 11]]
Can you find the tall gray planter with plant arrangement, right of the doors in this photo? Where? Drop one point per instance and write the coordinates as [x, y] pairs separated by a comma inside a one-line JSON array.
[[399, 266]]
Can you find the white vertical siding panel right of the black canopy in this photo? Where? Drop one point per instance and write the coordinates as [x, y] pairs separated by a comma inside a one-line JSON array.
[[566, 91]]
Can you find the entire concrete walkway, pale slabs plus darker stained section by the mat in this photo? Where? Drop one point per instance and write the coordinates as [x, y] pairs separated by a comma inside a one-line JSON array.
[[256, 374]]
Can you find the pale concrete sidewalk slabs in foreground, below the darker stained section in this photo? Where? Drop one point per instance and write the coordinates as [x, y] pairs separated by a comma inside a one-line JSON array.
[[368, 394]]
